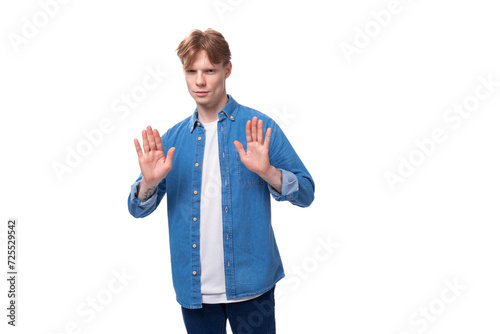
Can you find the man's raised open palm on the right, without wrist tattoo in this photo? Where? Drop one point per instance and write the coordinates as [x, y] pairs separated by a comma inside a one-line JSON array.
[[256, 158]]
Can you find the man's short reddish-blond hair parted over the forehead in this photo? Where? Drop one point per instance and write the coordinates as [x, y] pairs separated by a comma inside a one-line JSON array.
[[209, 40]]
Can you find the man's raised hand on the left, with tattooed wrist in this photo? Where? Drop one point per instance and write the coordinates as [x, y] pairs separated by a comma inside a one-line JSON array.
[[154, 165]]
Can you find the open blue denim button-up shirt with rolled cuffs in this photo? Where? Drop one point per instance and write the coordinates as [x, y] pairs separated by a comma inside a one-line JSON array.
[[252, 262]]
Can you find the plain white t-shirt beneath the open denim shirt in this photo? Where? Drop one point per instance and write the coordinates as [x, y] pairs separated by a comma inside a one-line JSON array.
[[213, 288]]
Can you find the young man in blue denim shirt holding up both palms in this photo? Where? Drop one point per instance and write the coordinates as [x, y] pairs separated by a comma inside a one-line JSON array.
[[224, 258]]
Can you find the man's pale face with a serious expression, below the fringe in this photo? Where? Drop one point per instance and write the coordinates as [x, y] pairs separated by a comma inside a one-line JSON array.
[[206, 82]]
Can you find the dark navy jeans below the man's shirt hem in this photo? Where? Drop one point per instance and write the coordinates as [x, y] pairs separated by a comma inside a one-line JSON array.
[[252, 316]]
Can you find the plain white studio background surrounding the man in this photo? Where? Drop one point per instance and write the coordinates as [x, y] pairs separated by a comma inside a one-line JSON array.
[[348, 121]]
